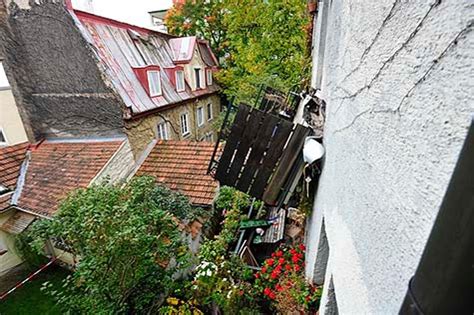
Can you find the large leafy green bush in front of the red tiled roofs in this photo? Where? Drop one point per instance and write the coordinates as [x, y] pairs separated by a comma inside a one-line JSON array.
[[127, 242]]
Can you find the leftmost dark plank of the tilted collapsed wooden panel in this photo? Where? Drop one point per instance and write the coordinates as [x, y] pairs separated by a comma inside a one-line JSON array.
[[237, 129]]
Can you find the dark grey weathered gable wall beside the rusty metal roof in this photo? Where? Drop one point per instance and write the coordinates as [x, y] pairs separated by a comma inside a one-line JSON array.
[[55, 72]]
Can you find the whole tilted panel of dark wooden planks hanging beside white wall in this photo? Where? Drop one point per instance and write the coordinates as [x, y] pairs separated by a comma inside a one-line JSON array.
[[259, 153]]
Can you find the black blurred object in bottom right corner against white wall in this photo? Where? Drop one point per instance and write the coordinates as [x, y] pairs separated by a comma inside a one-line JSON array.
[[444, 280]]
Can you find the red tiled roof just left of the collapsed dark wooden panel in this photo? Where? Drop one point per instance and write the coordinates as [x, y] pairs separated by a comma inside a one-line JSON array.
[[182, 166]]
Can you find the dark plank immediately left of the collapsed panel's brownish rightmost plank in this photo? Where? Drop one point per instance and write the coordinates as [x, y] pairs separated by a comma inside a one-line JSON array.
[[271, 158]]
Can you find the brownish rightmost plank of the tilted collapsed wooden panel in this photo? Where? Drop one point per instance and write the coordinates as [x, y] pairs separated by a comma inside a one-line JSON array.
[[285, 165]]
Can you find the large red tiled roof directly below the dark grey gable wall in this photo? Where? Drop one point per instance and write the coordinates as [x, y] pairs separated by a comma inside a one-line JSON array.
[[57, 168]]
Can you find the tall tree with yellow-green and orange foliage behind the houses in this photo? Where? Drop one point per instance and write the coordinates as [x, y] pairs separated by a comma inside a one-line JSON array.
[[261, 42]]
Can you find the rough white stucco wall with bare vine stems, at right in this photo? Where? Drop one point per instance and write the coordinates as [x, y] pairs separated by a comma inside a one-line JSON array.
[[397, 78]]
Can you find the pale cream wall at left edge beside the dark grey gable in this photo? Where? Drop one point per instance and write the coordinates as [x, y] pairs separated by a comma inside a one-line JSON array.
[[10, 120]]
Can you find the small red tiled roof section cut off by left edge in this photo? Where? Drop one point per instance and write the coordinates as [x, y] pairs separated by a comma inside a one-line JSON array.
[[11, 158]]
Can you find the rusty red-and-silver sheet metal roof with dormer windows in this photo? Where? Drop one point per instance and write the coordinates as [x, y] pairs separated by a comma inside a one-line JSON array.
[[119, 53]]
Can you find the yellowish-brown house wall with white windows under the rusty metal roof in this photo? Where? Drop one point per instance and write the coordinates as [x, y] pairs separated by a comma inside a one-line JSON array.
[[142, 131]]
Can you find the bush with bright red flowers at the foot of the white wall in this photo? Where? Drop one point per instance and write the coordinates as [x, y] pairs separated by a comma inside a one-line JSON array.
[[281, 281]]
